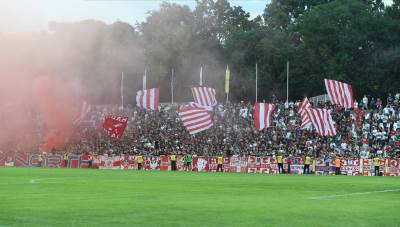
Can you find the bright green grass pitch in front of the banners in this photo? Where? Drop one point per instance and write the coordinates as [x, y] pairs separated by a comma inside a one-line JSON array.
[[89, 197]]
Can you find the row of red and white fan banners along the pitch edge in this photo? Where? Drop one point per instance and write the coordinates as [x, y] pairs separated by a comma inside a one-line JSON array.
[[250, 164]]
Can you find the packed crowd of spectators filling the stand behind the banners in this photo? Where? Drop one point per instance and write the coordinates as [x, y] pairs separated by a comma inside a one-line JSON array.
[[371, 129]]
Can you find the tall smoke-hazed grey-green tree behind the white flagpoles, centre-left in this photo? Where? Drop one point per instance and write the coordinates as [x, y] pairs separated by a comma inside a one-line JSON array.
[[171, 41]]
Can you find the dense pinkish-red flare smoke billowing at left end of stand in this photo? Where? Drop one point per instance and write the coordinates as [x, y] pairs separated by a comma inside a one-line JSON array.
[[38, 92]]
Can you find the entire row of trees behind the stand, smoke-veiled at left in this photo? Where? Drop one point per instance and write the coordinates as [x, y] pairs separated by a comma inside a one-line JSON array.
[[355, 41]]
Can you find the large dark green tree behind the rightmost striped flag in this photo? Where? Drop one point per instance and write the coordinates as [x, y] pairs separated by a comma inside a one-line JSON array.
[[340, 40]]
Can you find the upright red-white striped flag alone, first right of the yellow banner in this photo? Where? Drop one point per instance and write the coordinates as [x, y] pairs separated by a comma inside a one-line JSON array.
[[263, 115]]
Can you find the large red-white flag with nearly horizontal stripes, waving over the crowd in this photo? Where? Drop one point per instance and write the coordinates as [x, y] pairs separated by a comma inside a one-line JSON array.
[[195, 119]]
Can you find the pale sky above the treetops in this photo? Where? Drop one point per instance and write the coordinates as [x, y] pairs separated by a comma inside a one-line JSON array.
[[33, 15]]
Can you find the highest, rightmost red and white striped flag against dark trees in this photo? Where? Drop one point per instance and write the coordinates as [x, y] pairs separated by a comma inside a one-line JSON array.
[[340, 93]]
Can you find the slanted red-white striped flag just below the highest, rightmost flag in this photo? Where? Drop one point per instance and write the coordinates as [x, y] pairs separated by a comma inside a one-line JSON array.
[[322, 121]]
